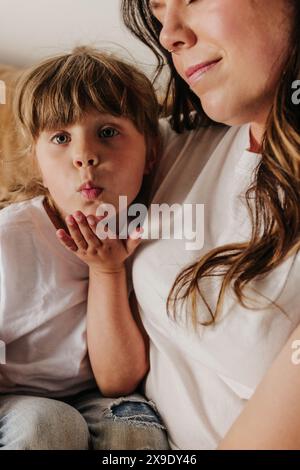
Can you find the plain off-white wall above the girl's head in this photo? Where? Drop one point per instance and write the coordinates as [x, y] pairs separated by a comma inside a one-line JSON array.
[[35, 29]]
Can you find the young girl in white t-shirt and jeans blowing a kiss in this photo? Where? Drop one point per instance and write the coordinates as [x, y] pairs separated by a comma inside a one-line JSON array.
[[90, 121]]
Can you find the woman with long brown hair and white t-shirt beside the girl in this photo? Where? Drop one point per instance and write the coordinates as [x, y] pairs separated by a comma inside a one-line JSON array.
[[223, 374]]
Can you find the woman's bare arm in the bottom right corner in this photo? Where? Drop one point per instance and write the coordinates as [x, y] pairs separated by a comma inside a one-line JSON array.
[[271, 418]]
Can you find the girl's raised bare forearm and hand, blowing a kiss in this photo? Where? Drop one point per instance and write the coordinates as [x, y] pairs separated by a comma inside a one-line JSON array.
[[116, 341]]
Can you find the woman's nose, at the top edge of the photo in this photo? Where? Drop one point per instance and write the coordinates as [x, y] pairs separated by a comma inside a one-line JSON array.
[[176, 33]]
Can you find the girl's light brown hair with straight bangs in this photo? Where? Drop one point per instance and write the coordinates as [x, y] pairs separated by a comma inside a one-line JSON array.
[[56, 93]]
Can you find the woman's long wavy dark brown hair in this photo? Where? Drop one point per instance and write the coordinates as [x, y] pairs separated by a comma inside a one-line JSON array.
[[273, 200]]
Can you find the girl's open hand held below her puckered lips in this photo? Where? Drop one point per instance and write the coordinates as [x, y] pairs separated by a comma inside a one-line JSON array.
[[106, 256]]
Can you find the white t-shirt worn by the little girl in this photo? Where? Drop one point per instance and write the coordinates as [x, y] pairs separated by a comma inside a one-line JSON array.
[[43, 300]]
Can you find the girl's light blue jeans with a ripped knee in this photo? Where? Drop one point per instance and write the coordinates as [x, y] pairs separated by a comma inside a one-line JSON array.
[[84, 421]]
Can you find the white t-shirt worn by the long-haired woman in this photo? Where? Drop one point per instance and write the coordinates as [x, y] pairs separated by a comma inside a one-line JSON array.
[[200, 381]]
